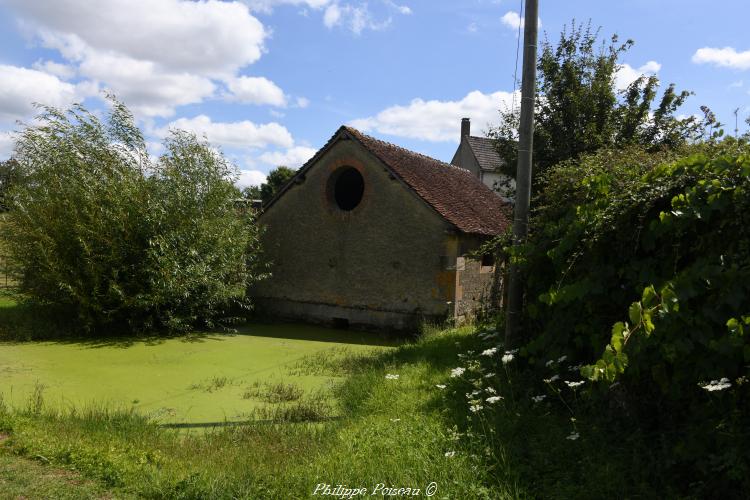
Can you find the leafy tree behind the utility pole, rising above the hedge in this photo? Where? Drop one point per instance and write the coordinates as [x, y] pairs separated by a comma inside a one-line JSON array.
[[579, 109]]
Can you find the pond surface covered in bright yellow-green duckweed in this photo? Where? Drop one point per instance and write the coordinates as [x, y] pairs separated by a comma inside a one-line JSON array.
[[193, 380]]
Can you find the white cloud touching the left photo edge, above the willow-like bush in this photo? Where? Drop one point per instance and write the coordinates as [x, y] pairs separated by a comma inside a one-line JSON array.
[[20, 87]]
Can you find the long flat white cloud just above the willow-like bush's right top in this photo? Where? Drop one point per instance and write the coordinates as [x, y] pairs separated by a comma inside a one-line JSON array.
[[243, 134]]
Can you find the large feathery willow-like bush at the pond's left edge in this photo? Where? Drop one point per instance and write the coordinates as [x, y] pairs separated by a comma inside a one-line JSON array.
[[116, 238]]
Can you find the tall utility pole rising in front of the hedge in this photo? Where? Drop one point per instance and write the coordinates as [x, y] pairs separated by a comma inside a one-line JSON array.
[[523, 171]]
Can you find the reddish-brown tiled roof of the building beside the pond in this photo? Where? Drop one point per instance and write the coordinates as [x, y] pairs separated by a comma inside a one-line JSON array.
[[454, 193]]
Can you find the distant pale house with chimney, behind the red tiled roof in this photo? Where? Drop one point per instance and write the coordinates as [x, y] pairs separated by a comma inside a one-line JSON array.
[[478, 155]]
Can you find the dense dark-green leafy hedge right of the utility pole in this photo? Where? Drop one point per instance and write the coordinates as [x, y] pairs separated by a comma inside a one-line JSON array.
[[638, 267]]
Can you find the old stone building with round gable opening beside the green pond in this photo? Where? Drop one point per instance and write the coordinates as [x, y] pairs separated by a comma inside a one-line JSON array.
[[368, 234]]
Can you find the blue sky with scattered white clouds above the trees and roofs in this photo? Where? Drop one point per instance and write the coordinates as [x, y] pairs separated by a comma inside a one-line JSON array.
[[269, 81]]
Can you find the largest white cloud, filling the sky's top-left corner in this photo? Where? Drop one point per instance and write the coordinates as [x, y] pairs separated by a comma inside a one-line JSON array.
[[153, 54]]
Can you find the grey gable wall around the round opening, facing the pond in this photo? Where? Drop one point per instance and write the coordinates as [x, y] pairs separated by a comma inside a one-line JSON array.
[[389, 262]]
